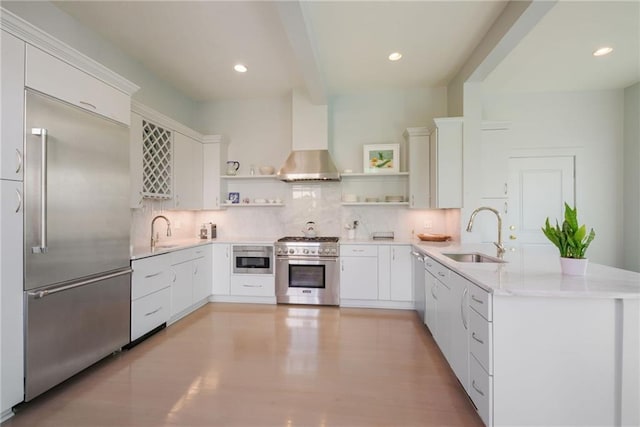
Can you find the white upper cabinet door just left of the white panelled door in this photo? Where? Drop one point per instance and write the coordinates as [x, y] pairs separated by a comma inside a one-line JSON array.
[[494, 160]]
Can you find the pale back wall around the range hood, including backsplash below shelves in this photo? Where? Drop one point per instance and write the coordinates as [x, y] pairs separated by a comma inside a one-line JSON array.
[[259, 132]]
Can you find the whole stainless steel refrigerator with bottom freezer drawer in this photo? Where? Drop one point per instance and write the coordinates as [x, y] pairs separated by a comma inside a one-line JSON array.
[[77, 279]]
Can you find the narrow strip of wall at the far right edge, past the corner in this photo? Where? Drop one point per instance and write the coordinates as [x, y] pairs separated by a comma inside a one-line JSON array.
[[631, 188]]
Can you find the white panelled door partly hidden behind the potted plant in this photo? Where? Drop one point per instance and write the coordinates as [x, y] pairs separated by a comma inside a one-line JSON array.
[[538, 188]]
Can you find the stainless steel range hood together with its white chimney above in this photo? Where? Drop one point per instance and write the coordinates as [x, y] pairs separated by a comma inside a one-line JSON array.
[[309, 159]]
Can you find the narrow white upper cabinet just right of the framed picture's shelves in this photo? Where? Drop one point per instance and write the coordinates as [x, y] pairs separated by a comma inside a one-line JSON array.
[[418, 146]]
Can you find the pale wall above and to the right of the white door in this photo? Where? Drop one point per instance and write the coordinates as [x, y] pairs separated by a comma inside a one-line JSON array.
[[589, 124]]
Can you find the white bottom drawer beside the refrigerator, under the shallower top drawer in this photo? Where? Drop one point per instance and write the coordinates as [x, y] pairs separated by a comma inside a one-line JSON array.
[[149, 312]]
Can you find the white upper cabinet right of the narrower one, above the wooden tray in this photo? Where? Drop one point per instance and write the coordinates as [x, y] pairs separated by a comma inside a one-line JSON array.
[[445, 163]]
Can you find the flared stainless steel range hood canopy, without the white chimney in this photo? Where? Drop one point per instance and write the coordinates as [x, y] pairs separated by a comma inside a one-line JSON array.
[[309, 165]]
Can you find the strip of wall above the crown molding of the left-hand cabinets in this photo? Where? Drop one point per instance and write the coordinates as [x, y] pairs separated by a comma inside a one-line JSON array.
[[153, 92]]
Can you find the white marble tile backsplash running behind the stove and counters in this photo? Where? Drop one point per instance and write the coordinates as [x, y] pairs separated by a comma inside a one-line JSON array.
[[317, 202]]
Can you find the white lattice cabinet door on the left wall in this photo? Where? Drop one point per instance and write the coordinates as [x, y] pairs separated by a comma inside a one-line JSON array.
[[157, 161]]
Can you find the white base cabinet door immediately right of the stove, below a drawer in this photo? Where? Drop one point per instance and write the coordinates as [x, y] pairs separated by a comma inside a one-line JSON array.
[[359, 272]]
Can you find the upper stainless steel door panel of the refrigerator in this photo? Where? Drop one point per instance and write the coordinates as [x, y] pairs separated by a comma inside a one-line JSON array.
[[87, 206]]
